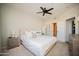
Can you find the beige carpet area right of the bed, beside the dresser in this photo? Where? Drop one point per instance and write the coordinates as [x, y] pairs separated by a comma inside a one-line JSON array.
[[60, 49]]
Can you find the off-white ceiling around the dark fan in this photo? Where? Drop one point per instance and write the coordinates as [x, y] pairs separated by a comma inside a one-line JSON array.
[[32, 8]]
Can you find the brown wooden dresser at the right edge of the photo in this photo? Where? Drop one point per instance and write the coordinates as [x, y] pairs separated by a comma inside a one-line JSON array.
[[74, 45]]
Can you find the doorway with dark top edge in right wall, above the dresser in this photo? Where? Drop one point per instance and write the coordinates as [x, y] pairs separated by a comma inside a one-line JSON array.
[[70, 27]]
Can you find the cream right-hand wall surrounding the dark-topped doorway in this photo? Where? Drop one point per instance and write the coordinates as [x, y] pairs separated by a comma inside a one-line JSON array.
[[69, 14]]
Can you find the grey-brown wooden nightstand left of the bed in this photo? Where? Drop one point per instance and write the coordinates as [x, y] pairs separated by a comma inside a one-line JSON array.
[[13, 42]]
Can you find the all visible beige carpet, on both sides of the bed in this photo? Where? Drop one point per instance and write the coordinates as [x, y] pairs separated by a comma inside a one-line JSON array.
[[60, 49]]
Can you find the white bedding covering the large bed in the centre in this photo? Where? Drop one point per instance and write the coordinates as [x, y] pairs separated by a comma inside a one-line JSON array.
[[39, 45]]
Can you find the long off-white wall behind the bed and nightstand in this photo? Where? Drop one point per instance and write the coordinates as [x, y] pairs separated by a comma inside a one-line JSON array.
[[13, 21]]
